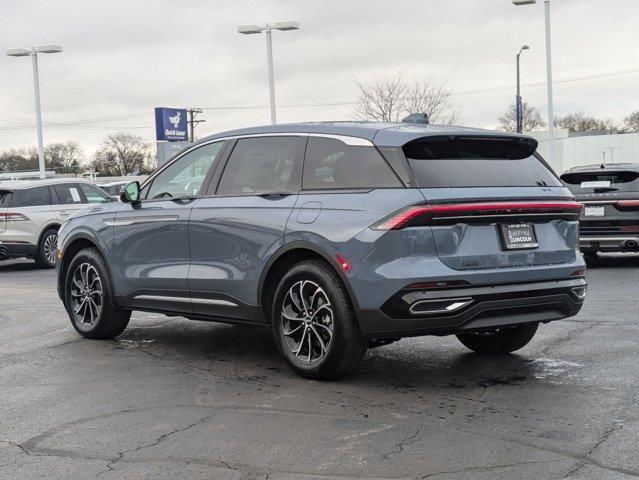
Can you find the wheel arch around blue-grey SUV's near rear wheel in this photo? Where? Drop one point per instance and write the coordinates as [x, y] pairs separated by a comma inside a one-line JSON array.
[[284, 258]]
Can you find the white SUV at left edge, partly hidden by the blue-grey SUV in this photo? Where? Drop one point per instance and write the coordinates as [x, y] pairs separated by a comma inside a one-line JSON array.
[[31, 212]]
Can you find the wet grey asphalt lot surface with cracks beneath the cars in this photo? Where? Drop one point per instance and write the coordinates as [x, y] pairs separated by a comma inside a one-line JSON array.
[[172, 398]]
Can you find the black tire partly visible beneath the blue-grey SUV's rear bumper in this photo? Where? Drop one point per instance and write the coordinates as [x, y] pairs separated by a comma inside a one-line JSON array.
[[500, 341]]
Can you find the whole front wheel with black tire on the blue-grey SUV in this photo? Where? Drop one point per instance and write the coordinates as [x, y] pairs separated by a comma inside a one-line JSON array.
[[110, 319]]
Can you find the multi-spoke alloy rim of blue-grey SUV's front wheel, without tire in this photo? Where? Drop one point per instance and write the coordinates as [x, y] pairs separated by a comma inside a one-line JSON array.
[[86, 294]]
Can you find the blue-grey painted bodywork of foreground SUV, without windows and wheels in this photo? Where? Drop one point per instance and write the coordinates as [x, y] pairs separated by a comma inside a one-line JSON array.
[[217, 250]]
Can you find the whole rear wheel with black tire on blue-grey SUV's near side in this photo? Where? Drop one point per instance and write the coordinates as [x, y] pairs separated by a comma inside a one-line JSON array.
[[345, 346]]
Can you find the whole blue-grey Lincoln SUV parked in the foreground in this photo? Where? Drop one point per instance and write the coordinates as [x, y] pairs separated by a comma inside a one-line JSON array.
[[340, 236]]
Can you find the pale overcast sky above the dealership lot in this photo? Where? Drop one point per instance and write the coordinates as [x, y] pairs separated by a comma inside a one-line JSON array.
[[123, 57]]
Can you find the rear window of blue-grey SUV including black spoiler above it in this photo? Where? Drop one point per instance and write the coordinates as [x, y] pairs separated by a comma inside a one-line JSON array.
[[477, 163]]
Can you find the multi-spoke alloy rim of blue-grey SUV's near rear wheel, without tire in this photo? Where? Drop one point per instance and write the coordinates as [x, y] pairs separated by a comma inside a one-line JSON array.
[[307, 321]]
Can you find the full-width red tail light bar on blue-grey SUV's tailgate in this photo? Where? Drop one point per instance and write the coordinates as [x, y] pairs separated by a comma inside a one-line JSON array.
[[424, 214]]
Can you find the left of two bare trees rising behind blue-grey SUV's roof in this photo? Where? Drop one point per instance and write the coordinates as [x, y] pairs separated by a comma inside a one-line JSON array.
[[380, 99]]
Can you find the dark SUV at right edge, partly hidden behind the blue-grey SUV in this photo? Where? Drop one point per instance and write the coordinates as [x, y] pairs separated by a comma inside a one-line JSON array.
[[610, 193]]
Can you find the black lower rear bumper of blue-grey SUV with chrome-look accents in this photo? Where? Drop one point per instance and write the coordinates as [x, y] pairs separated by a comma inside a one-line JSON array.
[[489, 307]]
